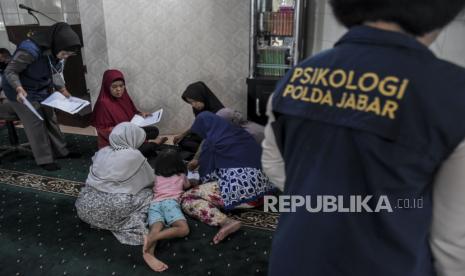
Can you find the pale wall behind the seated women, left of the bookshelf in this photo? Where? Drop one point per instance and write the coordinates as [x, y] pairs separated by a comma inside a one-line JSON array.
[[162, 46]]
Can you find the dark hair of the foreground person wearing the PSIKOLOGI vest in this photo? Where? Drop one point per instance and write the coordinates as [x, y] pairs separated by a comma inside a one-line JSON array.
[[416, 17]]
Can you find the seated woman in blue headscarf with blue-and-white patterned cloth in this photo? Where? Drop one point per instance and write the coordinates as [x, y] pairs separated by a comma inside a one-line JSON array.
[[230, 167]]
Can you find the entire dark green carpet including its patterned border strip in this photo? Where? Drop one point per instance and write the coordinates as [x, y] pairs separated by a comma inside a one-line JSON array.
[[40, 233]]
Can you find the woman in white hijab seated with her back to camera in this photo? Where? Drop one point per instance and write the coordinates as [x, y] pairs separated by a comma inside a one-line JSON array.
[[117, 193]]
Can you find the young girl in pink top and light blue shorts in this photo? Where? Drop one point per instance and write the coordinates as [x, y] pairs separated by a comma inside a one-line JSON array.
[[170, 182]]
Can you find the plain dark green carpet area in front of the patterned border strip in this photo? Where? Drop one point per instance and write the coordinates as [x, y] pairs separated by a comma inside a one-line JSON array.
[[40, 234]]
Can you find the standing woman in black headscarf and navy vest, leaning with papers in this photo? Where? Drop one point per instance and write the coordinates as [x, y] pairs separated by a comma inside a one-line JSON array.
[[34, 71]]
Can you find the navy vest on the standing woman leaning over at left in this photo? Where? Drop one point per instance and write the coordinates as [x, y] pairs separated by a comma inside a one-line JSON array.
[[36, 79]]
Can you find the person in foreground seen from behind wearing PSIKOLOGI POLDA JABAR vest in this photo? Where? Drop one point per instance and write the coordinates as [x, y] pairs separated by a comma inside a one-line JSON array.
[[374, 117]]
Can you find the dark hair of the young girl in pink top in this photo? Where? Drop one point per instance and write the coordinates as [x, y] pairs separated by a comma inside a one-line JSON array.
[[169, 163]]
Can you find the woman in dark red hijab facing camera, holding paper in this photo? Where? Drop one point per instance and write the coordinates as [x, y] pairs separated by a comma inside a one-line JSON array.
[[114, 106]]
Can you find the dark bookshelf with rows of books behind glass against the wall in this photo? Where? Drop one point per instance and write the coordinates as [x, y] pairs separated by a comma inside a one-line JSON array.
[[276, 44]]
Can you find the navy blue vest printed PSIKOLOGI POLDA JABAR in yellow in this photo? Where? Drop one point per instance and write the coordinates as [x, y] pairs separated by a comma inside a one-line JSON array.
[[374, 116]]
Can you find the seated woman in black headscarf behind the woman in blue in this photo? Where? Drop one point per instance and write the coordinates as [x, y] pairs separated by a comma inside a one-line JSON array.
[[201, 98]]
